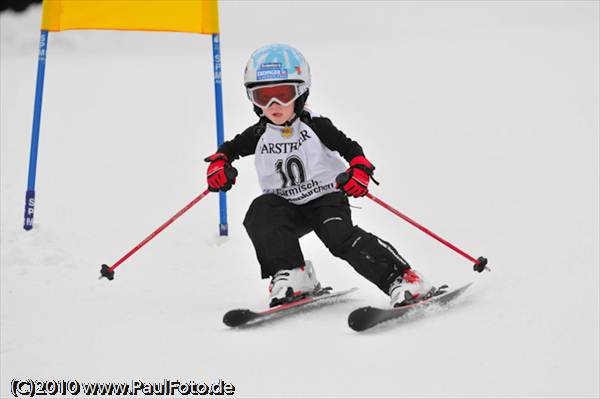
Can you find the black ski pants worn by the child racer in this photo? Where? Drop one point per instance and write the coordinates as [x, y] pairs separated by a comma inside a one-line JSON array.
[[275, 226]]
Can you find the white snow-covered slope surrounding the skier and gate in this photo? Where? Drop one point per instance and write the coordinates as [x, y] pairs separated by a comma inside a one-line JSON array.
[[482, 119]]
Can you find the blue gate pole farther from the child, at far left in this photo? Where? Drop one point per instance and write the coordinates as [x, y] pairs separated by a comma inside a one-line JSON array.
[[35, 132]]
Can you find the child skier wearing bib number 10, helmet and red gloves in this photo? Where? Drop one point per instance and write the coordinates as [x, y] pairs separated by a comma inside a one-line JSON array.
[[297, 158]]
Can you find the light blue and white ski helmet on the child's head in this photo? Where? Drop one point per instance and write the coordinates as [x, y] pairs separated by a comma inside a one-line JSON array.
[[277, 63]]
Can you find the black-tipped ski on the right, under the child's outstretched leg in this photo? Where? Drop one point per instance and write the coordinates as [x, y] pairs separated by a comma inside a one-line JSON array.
[[364, 318]]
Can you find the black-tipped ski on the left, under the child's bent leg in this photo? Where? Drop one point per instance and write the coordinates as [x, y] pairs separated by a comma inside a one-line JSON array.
[[245, 317]]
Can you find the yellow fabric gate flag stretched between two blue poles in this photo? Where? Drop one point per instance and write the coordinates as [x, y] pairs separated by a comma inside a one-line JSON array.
[[195, 16]]
